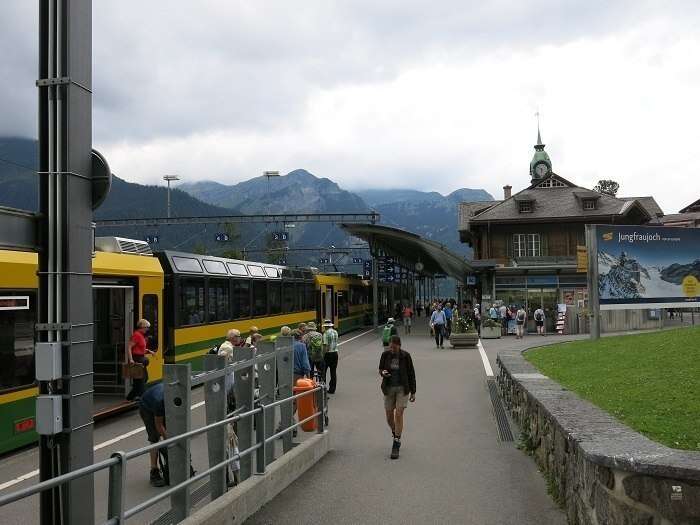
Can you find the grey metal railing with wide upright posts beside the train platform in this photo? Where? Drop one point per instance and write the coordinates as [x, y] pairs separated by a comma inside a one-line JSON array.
[[178, 381]]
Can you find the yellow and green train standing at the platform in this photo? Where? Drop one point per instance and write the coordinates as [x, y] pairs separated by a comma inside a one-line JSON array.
[[191, 301]]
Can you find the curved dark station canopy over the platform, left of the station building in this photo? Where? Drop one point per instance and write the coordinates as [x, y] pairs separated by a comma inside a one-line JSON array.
[[410, 249]]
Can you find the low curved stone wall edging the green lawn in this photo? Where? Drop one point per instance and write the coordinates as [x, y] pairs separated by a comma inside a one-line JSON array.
[[601, 471]]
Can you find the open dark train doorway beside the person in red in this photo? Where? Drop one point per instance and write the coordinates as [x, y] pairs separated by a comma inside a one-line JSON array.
[[114, 319]]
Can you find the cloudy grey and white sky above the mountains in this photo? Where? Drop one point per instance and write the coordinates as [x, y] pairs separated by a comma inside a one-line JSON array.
[[432, 95]]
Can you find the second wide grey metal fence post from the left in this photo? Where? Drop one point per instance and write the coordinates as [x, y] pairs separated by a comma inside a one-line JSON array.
[[215, 408]]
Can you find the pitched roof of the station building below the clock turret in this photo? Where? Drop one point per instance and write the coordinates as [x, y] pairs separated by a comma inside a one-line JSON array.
[[556, 203]]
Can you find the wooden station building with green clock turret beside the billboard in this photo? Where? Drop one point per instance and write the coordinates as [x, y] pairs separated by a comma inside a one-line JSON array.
[[529, 247]]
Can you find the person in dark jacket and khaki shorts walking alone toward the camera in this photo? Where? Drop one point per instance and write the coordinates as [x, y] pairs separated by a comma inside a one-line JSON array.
[[398, 387]]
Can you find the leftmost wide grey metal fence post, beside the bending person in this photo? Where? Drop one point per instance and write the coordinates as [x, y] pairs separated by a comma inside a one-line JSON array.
[[178, 399]]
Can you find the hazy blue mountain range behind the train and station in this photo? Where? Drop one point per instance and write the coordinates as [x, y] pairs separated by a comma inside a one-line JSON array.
[[426, 213]]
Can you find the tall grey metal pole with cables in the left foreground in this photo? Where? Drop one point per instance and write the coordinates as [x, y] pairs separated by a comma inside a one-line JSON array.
[[64, 311]]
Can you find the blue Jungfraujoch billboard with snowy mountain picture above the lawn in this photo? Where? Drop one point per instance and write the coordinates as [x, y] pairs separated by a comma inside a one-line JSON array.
[[648, 267]]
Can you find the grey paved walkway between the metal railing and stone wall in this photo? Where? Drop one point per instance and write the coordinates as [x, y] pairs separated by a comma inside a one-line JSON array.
[[453, 469]]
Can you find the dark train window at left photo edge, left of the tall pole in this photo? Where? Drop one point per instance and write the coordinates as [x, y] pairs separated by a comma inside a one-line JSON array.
[[17, 344]]
